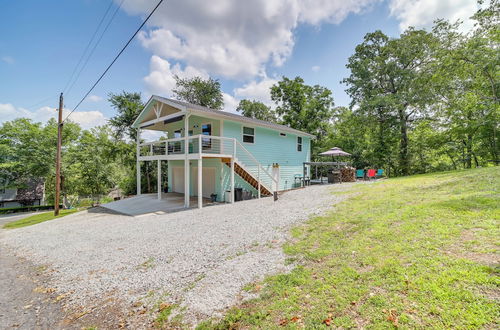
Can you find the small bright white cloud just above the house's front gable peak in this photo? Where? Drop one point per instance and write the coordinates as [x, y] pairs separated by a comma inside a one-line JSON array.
[[161, 78]]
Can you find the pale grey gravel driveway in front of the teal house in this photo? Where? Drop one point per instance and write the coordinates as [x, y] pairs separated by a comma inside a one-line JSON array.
[[199, 259]]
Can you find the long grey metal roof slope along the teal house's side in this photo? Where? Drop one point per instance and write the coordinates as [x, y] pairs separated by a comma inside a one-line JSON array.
[[229, 116]]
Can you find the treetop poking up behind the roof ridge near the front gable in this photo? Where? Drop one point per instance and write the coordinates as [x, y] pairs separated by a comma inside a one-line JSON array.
[[204, 92]]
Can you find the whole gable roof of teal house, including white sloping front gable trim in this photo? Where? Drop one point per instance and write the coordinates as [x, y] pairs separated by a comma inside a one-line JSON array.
[[198, 109]]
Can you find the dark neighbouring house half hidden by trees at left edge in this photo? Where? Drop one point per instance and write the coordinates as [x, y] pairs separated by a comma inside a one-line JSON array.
[[32, 193]]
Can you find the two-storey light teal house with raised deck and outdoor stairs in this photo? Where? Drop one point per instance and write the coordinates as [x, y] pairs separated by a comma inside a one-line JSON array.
[[224, 151]]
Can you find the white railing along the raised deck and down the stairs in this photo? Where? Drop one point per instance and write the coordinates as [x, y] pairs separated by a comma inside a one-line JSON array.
[[216, 146]]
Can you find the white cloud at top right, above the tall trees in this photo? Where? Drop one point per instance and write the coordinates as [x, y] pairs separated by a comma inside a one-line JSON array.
[[422, 13]]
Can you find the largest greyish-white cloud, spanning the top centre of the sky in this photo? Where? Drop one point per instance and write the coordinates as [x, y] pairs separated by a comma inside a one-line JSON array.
[[234, 39]]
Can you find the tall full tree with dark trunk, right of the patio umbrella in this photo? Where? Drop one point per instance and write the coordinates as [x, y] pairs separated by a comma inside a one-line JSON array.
[[390, 81]]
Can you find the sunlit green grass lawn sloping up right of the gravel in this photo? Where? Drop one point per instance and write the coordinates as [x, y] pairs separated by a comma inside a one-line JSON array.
[[415, 252]]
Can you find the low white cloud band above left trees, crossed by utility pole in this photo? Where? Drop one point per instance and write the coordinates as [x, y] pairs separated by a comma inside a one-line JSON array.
[[87, 119]]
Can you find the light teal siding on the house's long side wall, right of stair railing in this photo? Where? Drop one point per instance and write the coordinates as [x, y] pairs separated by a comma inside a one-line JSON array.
[[269, 147]]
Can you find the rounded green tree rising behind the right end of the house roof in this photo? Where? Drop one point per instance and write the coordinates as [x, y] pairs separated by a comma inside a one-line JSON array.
[[303, 107]]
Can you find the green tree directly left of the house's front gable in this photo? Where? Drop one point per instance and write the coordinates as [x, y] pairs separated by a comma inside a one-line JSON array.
[[128, 106]]
